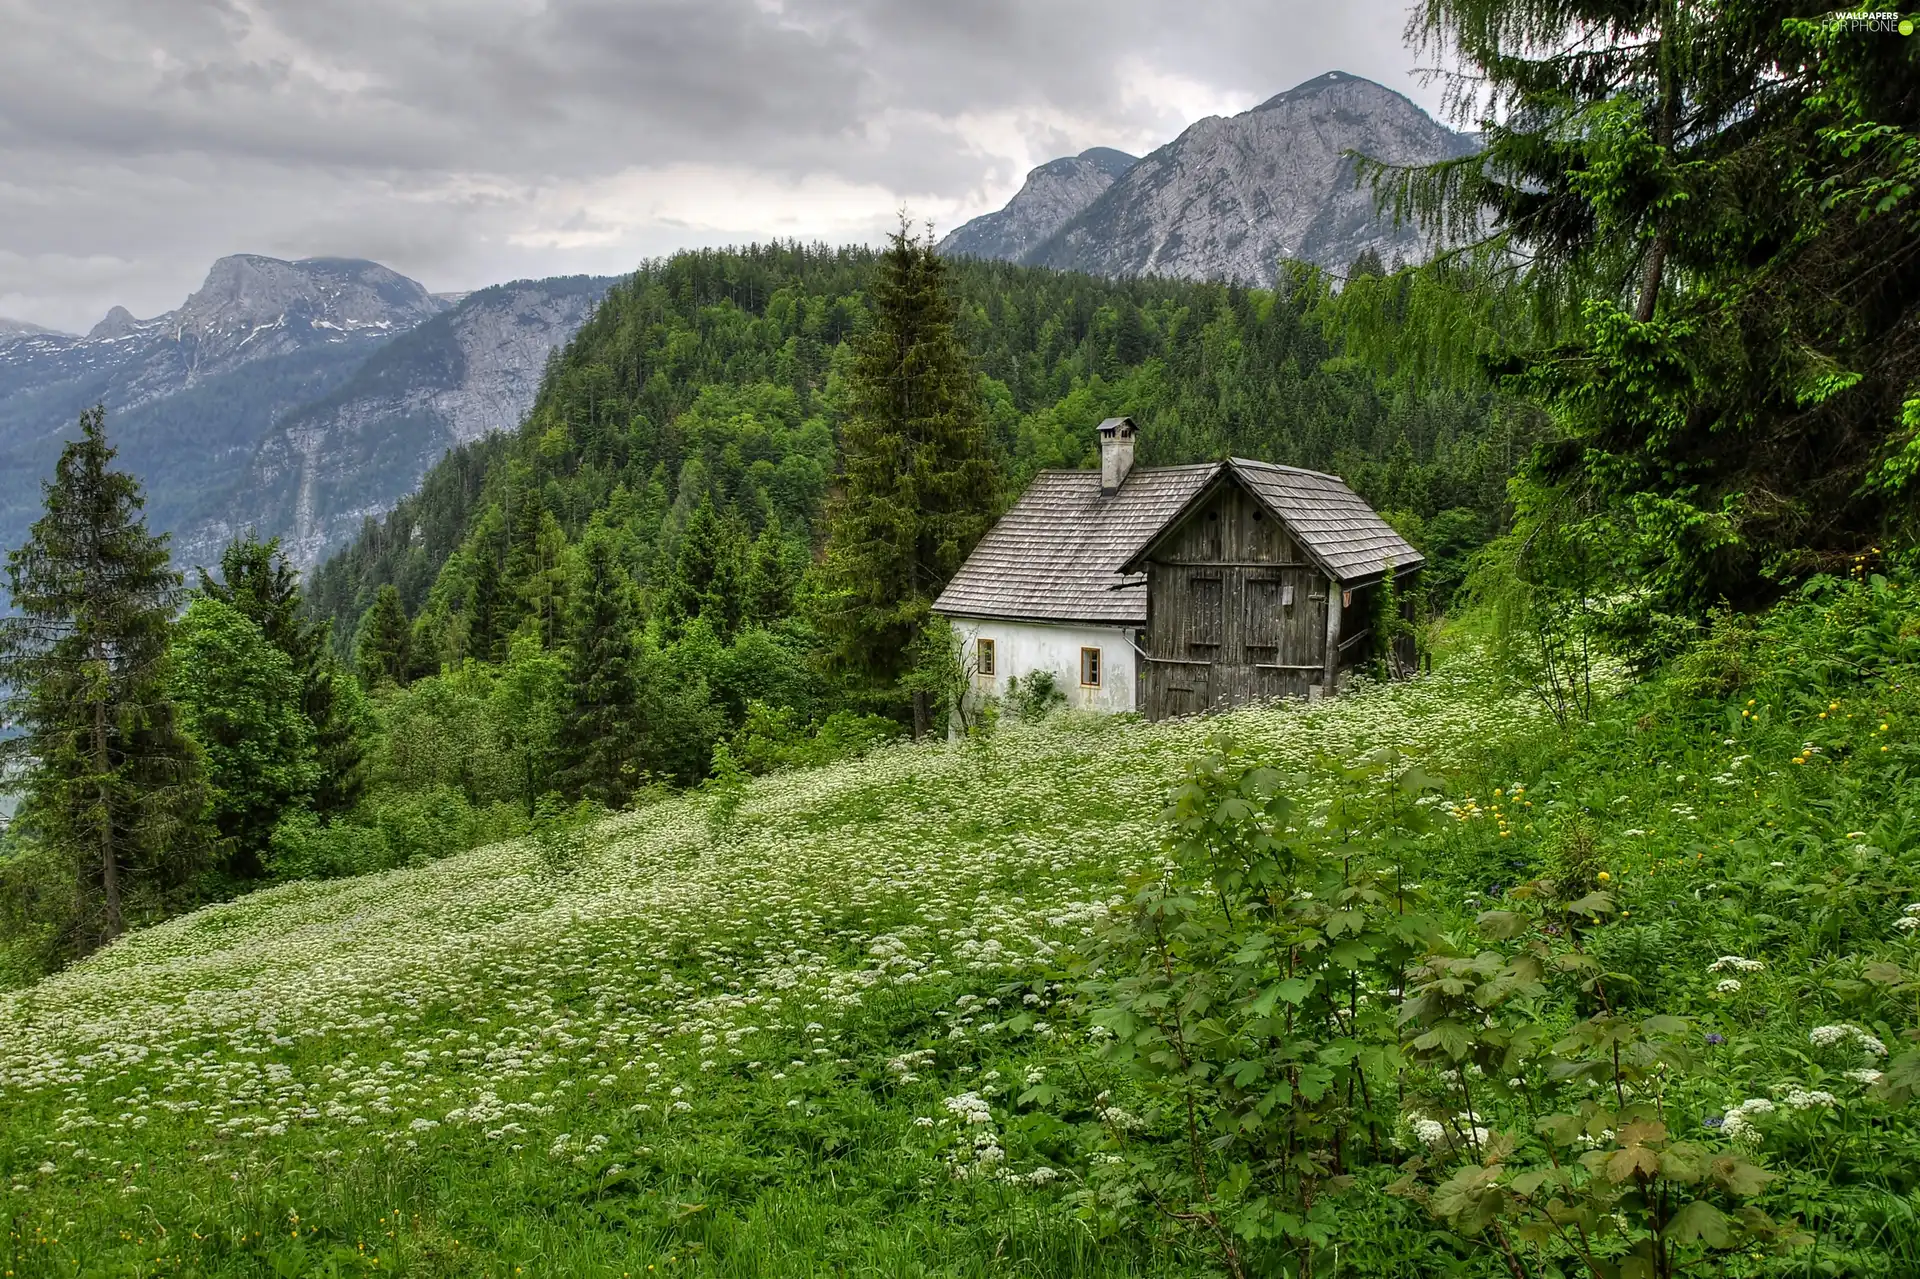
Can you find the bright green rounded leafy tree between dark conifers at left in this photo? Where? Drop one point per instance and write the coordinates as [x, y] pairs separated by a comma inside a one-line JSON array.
[[241, 700]]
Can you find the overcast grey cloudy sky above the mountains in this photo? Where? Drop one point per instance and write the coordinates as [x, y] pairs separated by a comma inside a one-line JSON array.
[[475, 141]]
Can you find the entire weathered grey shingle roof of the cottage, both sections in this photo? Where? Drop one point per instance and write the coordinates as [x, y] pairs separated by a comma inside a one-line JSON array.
[[1061, 552]]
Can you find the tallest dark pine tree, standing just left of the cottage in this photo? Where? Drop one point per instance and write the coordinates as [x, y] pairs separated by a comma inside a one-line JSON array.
[[919, 481]]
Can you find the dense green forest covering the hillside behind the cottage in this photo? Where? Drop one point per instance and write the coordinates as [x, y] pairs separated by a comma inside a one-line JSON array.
[[721, 377]]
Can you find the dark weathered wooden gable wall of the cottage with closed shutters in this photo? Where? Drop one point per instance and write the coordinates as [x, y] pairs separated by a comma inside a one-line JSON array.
[[1234, 612]]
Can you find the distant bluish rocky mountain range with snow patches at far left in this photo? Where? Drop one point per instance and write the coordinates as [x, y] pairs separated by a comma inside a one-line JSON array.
[[201, 400]]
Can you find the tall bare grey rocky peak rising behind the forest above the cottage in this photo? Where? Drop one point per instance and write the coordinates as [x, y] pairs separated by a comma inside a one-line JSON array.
[[1230, 199]]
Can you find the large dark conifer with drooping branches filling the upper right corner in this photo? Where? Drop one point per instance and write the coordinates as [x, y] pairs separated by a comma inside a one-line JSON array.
[[1696, 249]]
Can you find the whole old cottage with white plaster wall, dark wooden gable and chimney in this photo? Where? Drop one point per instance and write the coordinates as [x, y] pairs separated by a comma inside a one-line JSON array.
[[1176, 591]]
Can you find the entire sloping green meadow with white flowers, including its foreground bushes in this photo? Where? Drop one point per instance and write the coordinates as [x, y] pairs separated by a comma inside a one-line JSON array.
[[875, 1019]]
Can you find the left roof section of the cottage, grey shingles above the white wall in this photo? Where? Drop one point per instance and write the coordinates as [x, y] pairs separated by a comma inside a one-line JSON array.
[[1057, 554]]
